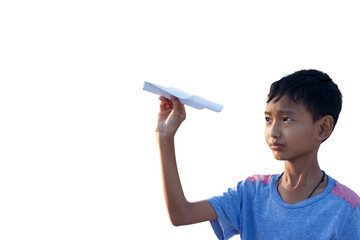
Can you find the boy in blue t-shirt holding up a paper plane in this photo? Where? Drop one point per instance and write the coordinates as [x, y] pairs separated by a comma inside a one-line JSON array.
[[302, 202]]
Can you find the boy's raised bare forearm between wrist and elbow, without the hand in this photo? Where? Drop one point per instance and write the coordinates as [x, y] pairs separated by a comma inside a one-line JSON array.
[[174, 196]]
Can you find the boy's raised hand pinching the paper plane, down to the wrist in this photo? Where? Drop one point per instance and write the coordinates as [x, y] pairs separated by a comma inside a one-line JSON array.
[[172, 114]]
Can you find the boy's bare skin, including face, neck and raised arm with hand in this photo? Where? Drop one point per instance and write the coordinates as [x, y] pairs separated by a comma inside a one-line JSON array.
[[291, 134]]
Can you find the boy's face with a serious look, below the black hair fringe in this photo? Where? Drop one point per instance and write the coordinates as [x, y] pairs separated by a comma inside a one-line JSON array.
[[290, 131]]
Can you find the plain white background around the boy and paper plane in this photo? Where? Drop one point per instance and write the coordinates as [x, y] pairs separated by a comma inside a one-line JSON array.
[[79, 158]]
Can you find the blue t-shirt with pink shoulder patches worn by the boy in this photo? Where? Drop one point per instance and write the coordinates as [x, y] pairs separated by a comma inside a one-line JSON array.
[[255, 210]]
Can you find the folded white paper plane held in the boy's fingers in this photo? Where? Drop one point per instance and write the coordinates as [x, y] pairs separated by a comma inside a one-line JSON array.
[[185, 98]]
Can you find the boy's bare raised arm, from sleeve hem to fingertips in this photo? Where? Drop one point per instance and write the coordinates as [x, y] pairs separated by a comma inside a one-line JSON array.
[[181, 212]]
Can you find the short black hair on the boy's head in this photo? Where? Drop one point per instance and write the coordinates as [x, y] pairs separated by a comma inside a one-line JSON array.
[[313, 88]]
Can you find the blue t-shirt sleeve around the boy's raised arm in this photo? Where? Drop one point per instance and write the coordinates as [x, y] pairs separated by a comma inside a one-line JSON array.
[[228, 210]]
